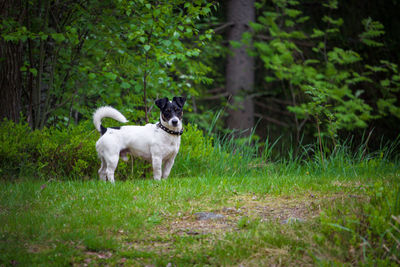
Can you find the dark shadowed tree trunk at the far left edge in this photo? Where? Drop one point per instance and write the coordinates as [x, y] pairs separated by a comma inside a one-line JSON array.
[[10, 65]]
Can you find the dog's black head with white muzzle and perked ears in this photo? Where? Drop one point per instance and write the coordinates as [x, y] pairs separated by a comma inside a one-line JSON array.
[[171, 111]]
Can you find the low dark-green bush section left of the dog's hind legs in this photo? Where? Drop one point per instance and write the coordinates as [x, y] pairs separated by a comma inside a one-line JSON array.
[[49, 152]]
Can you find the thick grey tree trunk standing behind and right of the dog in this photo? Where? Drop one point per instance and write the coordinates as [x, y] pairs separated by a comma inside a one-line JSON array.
[[240, 67]]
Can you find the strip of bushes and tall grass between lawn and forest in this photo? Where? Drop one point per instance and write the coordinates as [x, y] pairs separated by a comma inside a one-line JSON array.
[[69, 153]]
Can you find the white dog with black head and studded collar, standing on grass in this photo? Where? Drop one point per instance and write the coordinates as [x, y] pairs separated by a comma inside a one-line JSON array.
[[157, 143]]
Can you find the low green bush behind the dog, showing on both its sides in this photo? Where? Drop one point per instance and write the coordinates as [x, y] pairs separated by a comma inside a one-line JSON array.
[[70, 153]]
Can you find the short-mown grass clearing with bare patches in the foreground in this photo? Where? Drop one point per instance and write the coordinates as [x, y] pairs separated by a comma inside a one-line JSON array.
[[266, 217]]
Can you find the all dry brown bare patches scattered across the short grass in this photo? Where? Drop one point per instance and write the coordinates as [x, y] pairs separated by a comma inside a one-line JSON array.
[[275, 209]]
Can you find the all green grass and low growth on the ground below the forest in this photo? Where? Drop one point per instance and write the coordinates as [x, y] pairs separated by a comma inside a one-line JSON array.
[[342, 209]]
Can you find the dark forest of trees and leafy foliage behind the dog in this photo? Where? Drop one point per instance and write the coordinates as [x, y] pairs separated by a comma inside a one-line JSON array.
[[297, 71]]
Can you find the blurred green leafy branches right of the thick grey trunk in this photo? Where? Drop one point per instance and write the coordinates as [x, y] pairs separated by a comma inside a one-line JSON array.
[[327, 82]]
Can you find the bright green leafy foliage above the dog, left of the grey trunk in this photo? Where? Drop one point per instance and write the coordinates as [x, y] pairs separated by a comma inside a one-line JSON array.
[[78, 55]]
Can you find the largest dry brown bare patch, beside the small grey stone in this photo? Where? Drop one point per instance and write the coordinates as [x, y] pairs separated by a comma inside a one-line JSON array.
[[268, 208]]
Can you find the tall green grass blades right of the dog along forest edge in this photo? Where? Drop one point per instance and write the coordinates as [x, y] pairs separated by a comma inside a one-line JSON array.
[[248, 155]]
